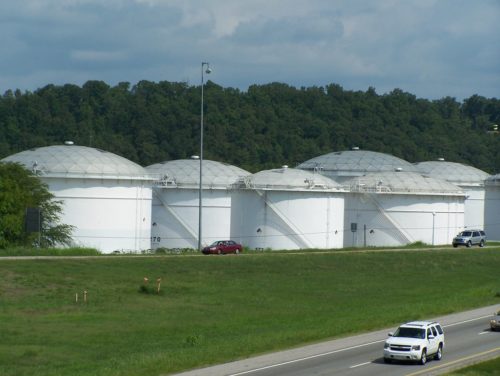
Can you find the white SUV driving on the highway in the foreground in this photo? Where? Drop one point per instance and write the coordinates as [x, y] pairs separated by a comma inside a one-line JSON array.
[[415, 341]]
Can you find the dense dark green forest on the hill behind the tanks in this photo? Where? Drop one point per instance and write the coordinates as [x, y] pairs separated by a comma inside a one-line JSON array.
[[264, 127]]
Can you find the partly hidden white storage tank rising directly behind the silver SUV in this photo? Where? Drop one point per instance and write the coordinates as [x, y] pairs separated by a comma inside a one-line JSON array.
[[469, 178]]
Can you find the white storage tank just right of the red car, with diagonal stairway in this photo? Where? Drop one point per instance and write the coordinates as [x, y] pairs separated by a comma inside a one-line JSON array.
[[288, 209]]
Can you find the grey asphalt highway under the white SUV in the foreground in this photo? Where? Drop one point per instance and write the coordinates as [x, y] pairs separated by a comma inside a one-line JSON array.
[[467, 336]]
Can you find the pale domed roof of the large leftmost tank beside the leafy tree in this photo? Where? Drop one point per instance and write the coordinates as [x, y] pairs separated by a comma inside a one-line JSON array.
[[72, 161]]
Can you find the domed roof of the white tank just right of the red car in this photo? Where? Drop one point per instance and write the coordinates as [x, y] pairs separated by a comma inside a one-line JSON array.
[[289, 178]]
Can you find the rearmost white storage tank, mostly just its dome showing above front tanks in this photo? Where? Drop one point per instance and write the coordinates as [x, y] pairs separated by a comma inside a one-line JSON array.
[[344, 165]]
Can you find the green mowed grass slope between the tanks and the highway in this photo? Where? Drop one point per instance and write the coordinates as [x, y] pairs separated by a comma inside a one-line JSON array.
[[213, 309]]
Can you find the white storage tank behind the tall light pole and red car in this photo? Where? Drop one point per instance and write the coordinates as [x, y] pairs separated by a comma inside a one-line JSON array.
[[175, 210]]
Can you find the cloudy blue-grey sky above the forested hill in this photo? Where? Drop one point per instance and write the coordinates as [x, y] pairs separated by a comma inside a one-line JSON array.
[[430, 48]]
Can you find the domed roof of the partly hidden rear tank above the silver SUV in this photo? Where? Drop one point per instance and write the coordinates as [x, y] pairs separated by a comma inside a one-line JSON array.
[[456, 173]]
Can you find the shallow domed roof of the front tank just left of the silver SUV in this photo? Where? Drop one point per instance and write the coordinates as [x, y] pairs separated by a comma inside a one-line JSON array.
[[402, 182]]
